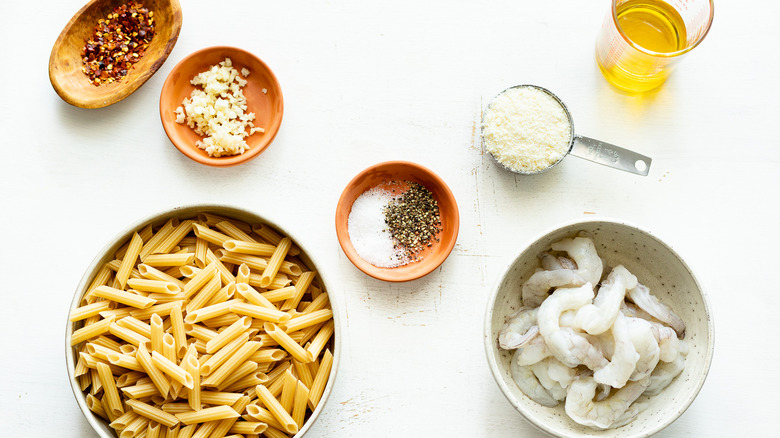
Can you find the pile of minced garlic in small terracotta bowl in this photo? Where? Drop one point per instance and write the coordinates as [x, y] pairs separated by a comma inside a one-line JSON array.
[[217, 112]]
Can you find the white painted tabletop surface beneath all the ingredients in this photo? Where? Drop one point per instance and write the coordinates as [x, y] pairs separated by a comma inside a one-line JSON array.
[[366, 82]]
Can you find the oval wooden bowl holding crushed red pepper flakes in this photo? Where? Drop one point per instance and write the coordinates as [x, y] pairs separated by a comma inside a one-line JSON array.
[[65, 63]]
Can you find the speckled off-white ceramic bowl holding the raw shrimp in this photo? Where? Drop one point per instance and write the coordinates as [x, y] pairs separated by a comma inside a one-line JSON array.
[[656, 265]]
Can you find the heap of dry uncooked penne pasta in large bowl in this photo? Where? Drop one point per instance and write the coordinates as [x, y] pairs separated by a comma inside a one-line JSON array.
[[190, 321]]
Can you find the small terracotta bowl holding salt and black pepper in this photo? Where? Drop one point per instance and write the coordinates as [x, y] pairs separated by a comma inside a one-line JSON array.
[[383, 173]]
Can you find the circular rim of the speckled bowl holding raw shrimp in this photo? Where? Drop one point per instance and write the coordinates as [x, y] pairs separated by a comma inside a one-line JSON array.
[[489, 342]]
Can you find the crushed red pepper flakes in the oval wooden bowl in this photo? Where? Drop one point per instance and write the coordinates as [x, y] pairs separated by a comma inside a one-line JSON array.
[[117, 43]]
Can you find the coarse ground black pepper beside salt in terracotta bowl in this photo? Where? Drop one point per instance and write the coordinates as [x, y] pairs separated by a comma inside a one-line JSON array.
[[413, 219]]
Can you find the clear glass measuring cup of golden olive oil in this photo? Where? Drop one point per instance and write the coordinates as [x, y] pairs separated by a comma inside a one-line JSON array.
[[641, 41]]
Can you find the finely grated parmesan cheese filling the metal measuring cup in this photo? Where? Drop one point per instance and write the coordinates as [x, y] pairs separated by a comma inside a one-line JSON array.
[[526, 129]]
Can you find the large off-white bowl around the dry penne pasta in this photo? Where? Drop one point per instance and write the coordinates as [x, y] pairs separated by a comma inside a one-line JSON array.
[[107, 254]]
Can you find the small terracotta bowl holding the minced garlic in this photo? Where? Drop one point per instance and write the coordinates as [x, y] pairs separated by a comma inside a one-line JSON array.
[[268, 107]]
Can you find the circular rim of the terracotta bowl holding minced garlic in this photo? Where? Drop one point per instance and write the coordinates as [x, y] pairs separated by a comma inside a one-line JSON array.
[[190, 151]]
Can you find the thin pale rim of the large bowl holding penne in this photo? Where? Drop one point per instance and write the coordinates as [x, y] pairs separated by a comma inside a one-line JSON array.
[[182, 210]]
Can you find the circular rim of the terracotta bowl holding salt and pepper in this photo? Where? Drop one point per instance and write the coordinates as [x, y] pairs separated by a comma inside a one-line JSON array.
[[384, 273]]
